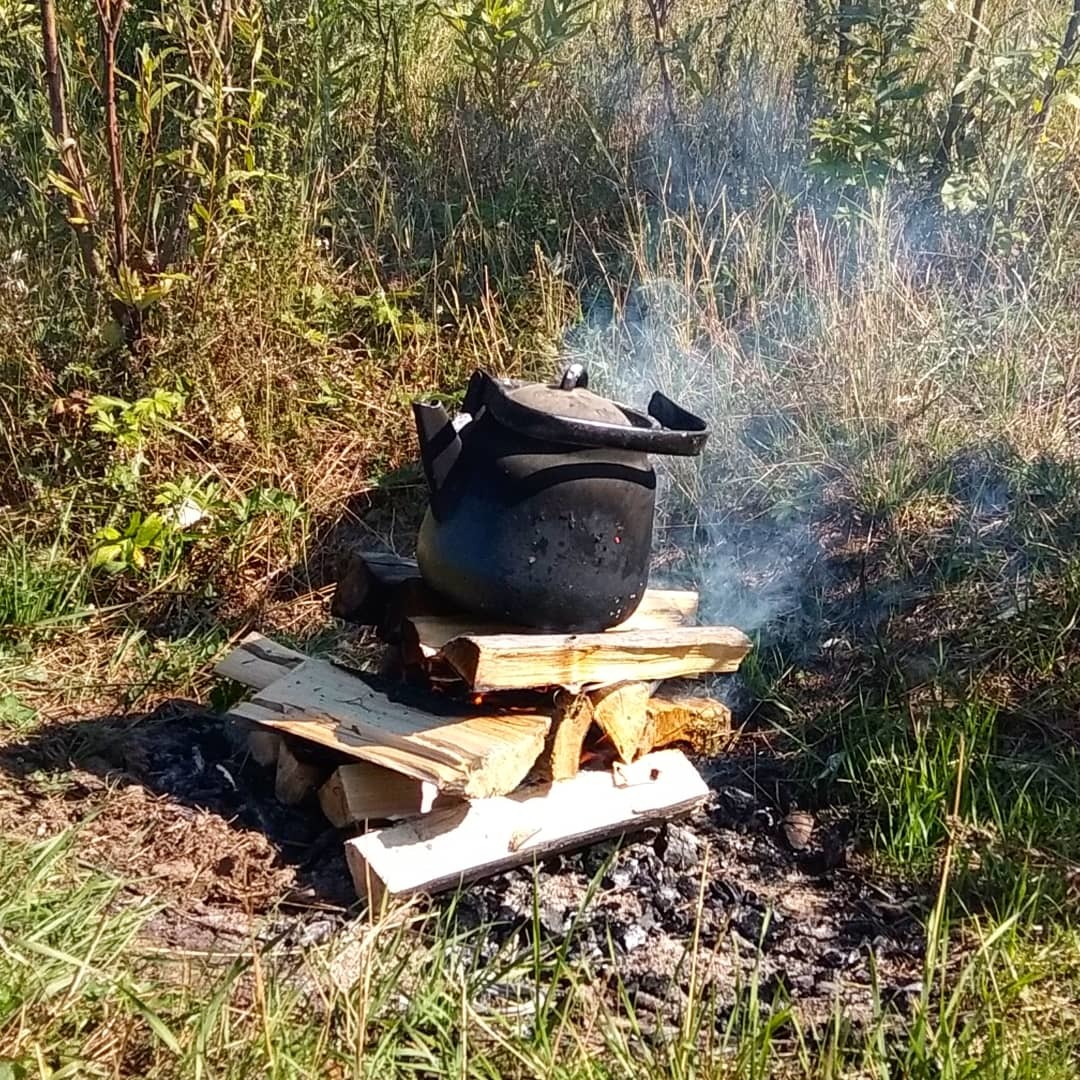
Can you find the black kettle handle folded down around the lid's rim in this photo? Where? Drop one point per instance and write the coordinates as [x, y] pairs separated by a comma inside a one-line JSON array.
[[669, 429]]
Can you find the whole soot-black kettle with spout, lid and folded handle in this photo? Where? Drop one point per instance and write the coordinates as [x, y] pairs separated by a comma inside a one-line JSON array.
[[543, 499]]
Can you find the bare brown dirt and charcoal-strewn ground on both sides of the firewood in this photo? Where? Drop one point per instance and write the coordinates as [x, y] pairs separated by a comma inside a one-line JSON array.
[[171, 803]]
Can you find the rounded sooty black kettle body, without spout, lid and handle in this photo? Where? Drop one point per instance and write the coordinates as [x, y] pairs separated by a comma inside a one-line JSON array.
[[541, 534]]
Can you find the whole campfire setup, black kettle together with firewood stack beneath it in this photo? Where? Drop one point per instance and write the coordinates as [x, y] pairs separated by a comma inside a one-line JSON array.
[[534, 694]]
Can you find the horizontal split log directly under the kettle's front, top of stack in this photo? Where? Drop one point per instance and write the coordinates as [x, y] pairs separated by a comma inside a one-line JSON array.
[[519, 661]]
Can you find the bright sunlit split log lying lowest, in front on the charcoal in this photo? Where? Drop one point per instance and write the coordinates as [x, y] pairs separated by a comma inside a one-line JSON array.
[[450, 848]]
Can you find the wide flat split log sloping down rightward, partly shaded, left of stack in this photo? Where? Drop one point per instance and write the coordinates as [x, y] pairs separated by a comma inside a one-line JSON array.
[[470, 755]]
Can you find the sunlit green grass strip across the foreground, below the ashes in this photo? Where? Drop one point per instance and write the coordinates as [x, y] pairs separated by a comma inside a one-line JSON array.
[[407, 997]]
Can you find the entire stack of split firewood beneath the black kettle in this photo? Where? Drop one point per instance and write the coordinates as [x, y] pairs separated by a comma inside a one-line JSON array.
[[484, 747]]
